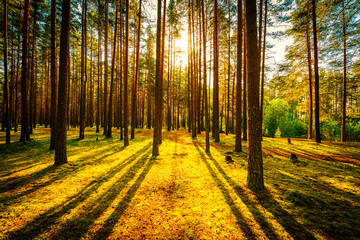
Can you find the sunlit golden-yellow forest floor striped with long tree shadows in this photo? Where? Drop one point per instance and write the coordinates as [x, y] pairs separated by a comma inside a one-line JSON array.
[[108, 191]]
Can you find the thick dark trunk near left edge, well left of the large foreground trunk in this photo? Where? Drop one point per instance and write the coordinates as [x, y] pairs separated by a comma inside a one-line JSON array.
[[24, 76]]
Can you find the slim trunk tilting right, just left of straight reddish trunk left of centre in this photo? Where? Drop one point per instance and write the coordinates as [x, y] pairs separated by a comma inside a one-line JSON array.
[[108, 132]]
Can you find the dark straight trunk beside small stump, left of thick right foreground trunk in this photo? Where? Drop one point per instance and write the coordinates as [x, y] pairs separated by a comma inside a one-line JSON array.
[[238, 147]]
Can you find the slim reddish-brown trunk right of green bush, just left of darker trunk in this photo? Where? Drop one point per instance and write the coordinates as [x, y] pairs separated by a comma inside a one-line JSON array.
[[310, 131]]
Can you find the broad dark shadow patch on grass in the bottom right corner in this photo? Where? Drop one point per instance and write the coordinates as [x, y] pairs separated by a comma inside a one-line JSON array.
[[334, 212]]
